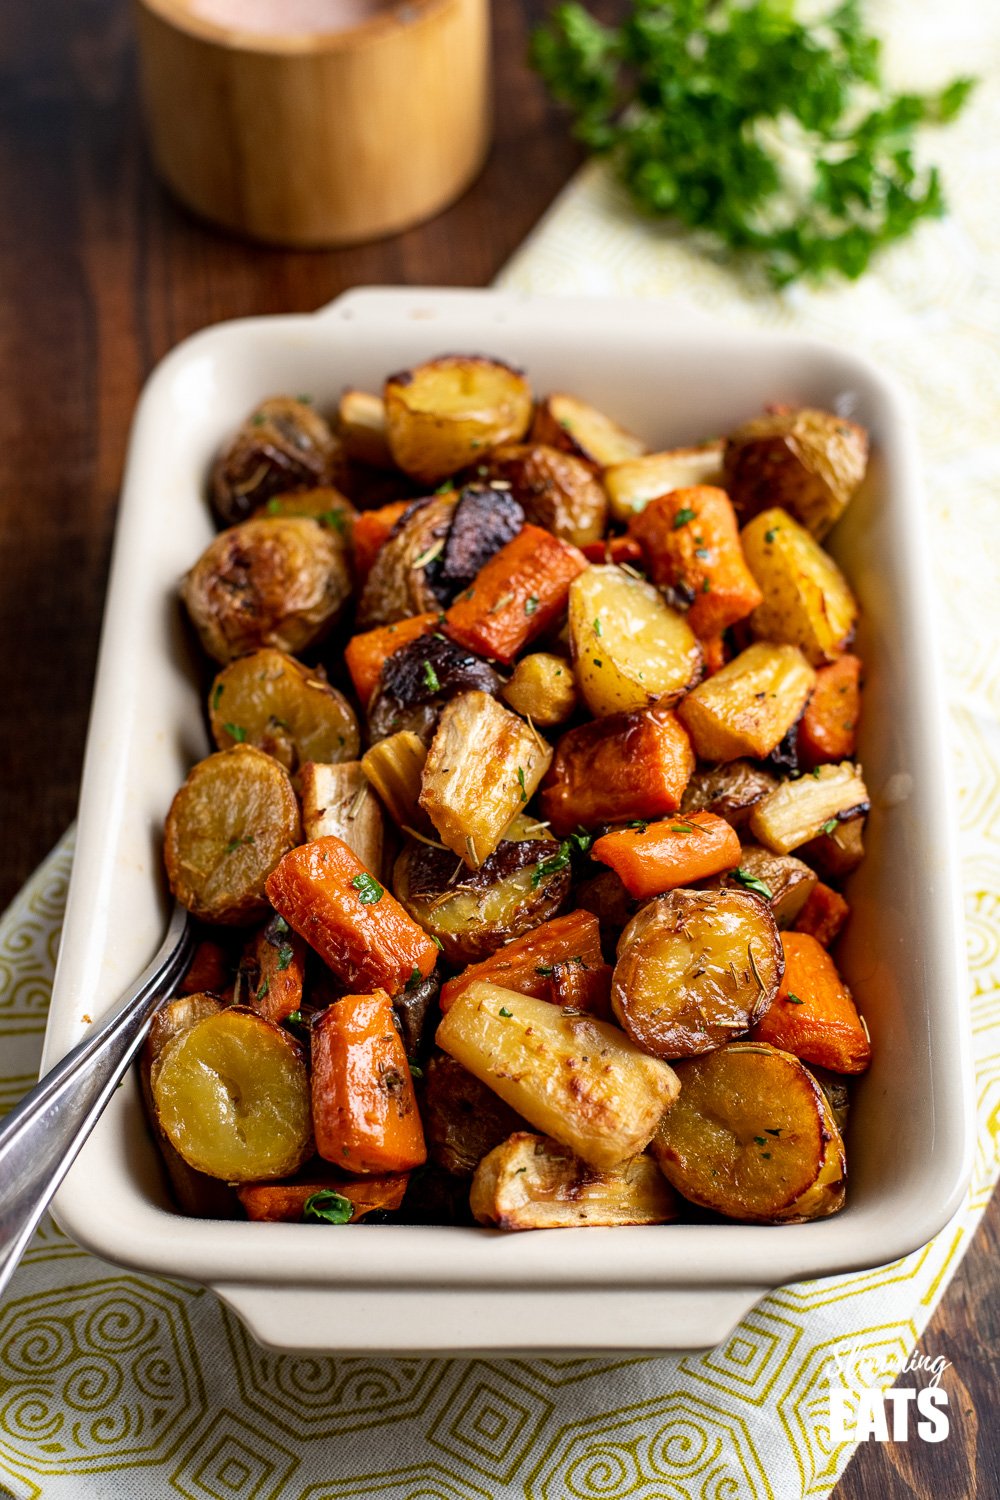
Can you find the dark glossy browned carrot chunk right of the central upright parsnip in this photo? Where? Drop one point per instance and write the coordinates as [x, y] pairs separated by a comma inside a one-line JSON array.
[[617, 769]]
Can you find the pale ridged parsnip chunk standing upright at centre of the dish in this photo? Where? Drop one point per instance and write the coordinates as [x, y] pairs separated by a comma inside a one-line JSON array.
[[482, 769]]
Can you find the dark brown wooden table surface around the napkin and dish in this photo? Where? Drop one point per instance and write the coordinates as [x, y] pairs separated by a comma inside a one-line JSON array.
[[101, 274]]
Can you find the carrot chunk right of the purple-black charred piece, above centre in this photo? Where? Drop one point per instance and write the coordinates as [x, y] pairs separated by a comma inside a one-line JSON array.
[[516, 596]]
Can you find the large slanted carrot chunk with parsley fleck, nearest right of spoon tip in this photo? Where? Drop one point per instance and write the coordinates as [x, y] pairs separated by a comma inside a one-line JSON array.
[[356, 926]]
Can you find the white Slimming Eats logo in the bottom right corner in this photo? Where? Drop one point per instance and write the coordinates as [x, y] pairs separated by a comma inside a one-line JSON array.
[[863, 1402]]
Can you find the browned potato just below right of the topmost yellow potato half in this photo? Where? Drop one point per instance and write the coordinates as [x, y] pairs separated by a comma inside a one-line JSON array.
[[555, 490]]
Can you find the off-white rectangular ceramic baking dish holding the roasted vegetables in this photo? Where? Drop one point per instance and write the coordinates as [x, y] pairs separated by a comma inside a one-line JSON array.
[[407, 1289]]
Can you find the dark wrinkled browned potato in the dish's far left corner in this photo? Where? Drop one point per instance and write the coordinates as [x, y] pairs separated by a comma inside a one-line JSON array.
[[283, 446]]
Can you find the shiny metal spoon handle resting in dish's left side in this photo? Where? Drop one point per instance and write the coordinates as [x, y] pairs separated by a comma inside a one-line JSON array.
[[41, 1138]]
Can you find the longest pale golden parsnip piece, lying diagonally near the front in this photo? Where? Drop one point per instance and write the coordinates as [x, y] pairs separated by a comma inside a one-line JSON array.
[[573, 1078]]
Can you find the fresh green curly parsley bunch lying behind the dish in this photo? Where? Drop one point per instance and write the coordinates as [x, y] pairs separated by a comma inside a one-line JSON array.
[[770, 134]]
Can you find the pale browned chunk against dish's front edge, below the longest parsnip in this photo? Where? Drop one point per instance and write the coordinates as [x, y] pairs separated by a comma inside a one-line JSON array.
[[534, 1183]]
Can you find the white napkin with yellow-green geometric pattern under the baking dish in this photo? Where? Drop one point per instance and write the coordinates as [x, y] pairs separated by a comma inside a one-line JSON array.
[[118, 1385]]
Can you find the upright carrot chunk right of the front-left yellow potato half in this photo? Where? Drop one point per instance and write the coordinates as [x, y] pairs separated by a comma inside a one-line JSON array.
[[364, 1106]]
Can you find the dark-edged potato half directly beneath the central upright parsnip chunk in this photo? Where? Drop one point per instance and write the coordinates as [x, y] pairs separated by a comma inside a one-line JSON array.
[[475, 913]]
